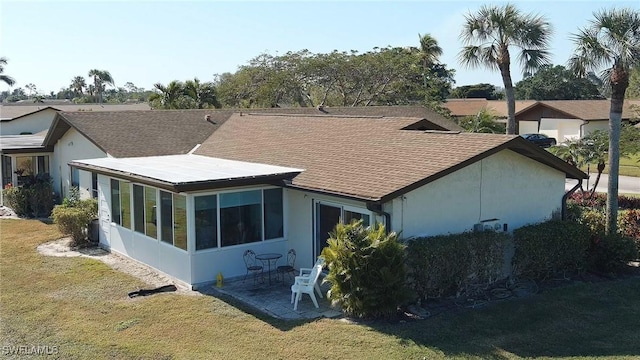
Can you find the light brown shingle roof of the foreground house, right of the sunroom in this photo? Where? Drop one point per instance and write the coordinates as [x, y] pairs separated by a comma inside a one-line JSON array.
[[366, 158]]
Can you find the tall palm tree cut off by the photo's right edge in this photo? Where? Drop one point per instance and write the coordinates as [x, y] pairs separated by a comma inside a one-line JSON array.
[[612, 41]]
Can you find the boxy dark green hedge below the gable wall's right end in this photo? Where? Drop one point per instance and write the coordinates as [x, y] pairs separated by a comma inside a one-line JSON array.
[[550, 248]]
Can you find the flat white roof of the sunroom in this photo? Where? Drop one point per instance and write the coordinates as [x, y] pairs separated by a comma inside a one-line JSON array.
[[188, 172]]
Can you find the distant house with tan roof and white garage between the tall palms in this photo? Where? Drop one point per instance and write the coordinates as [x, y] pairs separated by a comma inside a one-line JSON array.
[[569, 119]]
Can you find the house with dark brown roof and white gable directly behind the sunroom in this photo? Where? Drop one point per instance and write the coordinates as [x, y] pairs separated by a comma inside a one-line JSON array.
[[89, 135]]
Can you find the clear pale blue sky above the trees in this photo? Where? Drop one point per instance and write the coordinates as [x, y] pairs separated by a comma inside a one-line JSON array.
[[47, 43]]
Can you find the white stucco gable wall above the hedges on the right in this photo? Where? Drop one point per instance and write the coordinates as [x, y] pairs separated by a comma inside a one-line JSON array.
[[505, 186]]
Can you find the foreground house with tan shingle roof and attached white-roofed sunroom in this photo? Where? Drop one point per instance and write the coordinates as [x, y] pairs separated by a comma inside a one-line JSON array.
[[271, 182]]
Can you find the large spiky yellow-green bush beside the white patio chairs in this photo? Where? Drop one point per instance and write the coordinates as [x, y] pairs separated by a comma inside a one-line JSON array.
[[366, 270]]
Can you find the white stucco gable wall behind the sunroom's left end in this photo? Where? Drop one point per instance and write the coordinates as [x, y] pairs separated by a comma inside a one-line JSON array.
[[72, 146]]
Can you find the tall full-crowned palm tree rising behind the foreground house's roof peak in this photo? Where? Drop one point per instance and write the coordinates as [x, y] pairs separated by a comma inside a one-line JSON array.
[[488, 35]]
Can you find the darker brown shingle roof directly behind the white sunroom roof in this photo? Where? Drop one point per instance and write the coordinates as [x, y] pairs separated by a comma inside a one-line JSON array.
[[139, 133]]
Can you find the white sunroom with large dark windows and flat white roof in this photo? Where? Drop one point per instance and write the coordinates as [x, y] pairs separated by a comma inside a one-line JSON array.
[[190, 216]]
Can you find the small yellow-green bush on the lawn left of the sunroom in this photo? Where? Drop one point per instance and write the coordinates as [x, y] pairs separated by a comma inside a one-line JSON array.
[[74, 220]]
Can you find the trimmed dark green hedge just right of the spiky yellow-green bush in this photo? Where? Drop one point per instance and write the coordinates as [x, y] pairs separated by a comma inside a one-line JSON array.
[[451, 264]]
